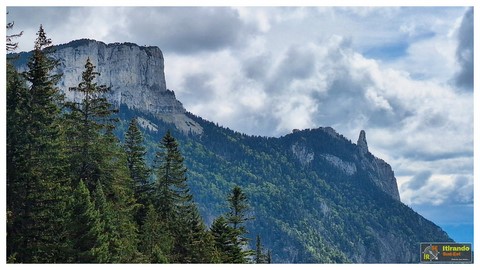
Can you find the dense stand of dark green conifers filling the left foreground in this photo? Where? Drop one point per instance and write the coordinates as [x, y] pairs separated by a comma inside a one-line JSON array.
[[78, 194]]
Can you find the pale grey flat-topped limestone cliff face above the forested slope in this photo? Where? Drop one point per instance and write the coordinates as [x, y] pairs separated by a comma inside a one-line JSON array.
[[134, 73]]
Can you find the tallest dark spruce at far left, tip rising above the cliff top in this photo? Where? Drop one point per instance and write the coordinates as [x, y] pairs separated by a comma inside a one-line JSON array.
[[37, 164]]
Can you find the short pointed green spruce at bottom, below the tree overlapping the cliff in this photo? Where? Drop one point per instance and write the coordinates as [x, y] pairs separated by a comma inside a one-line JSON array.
[[88, 233]]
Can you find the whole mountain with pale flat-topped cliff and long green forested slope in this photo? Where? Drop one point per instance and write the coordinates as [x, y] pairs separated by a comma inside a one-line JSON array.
[[316, 196]]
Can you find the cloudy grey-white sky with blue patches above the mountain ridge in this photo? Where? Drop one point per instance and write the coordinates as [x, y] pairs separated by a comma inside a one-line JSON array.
[[403, 74]]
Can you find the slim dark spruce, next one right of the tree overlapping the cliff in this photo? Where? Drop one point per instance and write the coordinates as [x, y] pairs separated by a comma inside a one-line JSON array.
[[138, 169]]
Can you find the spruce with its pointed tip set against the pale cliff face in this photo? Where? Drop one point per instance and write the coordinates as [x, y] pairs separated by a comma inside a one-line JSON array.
[[89, 120]]
